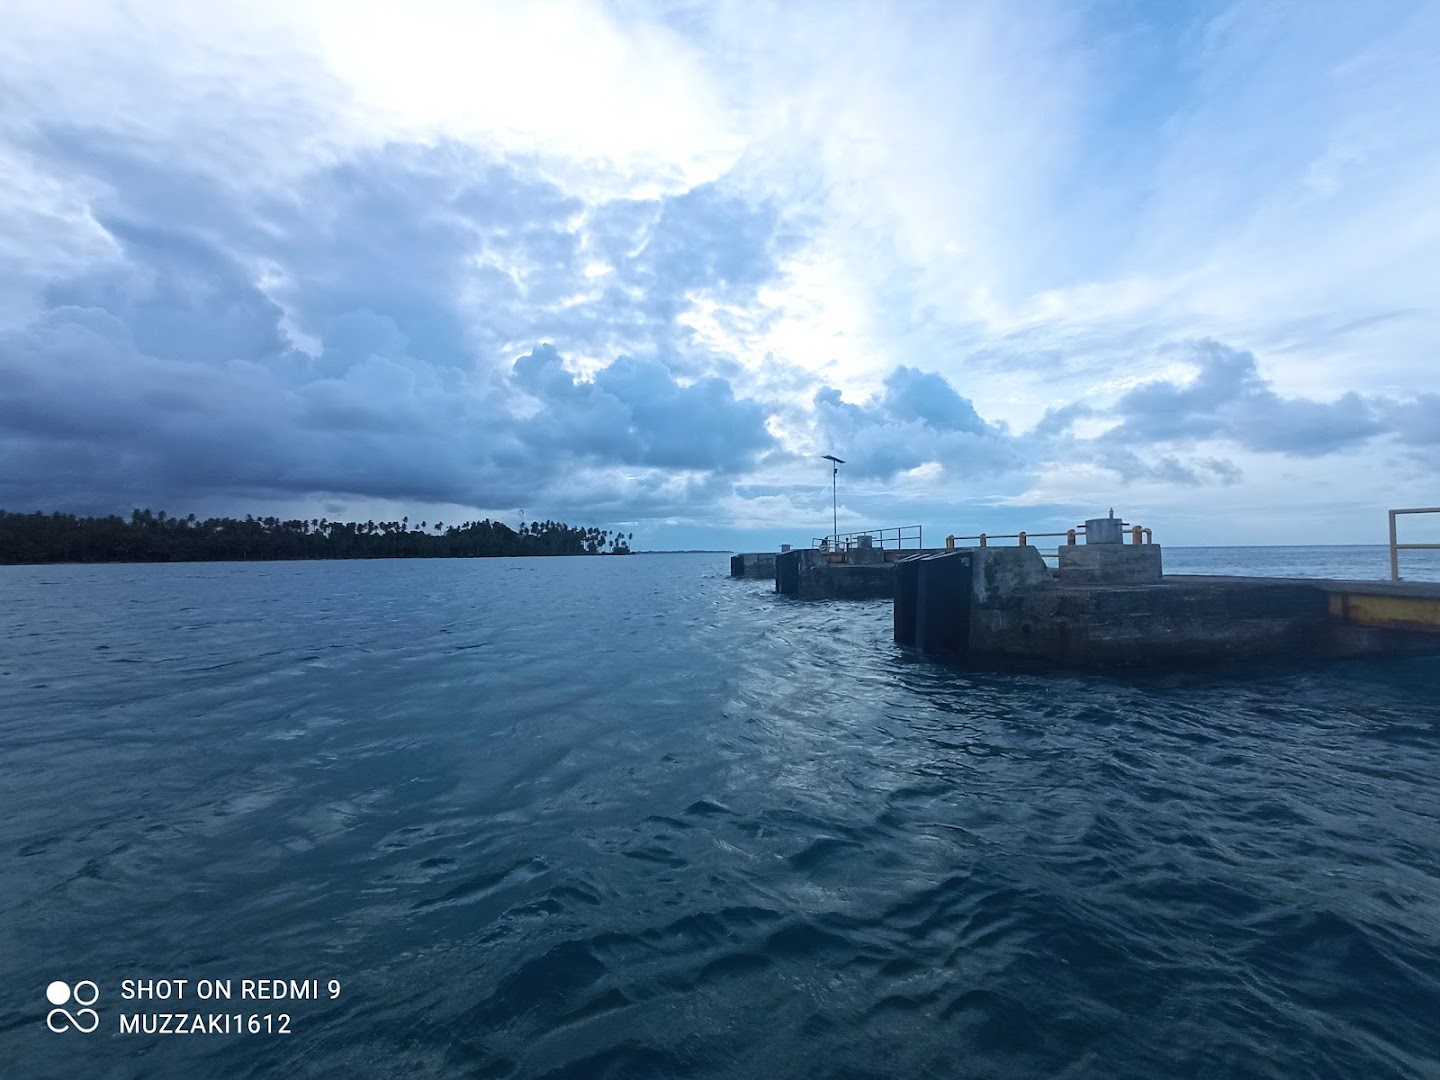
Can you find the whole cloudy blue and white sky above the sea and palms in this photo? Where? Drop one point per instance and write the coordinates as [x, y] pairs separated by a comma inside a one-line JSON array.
[[640, 266]]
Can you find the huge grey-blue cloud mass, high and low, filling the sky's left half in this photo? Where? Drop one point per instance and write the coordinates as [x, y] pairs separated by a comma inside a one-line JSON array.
[[355, 339]]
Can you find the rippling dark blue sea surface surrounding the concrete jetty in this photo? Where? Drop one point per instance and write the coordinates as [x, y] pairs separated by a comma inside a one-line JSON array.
[[631, 819]]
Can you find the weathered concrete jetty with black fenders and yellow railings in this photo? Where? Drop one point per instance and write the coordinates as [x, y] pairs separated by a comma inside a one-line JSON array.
[[1107, 603]]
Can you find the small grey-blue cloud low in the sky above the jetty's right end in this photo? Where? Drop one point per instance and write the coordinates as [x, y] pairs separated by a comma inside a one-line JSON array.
[[1229, 400]]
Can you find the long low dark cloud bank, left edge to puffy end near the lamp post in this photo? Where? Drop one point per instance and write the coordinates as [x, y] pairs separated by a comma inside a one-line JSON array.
[[90, 418]]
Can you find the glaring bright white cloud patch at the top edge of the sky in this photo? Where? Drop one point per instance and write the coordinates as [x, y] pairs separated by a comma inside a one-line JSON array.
[[562, 80]]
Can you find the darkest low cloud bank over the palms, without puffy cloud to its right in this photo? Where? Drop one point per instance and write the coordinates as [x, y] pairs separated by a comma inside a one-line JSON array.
[[87, 415]]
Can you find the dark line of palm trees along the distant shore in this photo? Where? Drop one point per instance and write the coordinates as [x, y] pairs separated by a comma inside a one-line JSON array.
[[156, 538]]
